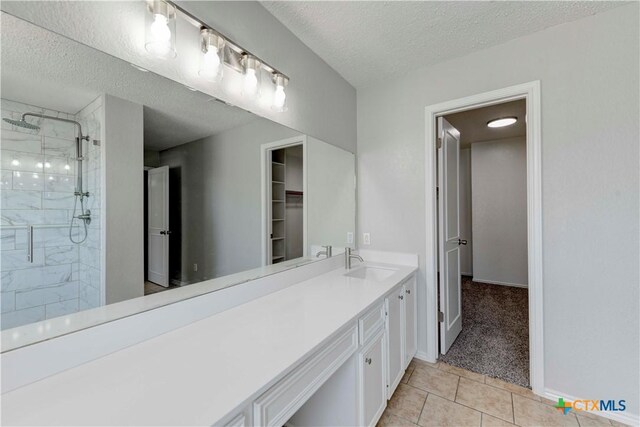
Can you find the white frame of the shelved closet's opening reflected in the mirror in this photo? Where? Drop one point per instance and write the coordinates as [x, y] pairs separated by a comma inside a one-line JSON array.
[[265, 188]]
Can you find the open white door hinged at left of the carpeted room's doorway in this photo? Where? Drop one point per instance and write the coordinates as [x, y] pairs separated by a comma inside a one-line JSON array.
[[449, 234]]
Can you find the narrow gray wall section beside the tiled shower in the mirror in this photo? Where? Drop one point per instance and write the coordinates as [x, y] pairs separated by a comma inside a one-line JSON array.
[[123, 207]]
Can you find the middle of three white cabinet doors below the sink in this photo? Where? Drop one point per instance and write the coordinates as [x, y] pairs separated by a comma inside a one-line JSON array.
[[395, 339]]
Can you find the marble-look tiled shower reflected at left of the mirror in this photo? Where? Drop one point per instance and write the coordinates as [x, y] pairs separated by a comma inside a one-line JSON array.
[[37, 185]]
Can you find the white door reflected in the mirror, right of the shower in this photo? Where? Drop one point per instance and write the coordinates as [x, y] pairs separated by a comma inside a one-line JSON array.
[[158, 226]]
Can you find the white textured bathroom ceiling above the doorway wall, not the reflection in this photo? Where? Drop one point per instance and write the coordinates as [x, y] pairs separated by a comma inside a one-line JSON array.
[[366, 41]]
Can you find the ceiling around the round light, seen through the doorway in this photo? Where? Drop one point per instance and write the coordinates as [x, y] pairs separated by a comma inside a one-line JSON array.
[[472, 124]]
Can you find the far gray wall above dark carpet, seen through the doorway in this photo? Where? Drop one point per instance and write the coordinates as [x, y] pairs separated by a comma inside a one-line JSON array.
[[499, 199]]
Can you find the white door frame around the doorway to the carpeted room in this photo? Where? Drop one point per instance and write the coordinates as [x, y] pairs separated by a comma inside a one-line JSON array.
[[531, 93]]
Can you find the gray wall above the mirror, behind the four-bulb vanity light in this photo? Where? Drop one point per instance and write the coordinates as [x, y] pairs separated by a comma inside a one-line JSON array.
[[321, 103]]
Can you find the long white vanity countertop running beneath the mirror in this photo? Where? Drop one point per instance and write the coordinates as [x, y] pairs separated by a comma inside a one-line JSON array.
[[202, 372]]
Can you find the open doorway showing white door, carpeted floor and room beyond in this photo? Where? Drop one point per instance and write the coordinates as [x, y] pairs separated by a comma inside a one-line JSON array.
[[482, 210]]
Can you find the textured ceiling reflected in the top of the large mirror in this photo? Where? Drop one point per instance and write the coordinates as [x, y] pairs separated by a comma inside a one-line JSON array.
[[48, 70]]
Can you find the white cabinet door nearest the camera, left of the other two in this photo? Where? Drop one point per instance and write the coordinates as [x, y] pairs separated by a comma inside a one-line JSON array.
[[373, 390]]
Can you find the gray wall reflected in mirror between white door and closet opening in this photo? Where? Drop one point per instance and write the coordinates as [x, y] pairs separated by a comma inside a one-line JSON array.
[[221, 199]]
